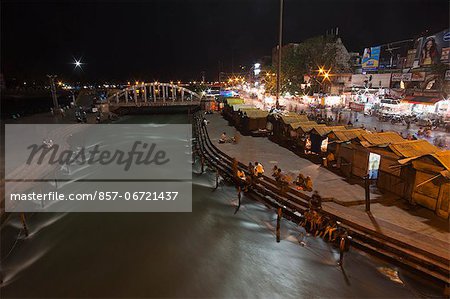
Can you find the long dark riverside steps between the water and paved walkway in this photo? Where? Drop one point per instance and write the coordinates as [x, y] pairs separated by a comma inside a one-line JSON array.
[[387, 243]]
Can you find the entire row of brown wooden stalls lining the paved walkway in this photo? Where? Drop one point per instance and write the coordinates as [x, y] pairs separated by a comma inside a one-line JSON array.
[[414, 170]]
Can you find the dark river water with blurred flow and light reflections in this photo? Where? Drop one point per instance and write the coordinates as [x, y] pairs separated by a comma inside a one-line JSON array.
[[207, 253]]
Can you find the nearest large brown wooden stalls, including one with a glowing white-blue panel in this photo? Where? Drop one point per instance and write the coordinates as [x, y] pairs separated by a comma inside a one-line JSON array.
[[412, 169]]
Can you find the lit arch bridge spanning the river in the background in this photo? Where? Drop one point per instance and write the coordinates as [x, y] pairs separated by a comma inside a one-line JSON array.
[[154, 95]]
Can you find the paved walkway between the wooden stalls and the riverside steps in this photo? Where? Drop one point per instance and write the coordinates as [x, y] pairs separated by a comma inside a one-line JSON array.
[[416, 224]]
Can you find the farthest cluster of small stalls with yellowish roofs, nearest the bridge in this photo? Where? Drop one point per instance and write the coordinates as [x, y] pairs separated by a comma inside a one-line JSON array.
[[248, 119]]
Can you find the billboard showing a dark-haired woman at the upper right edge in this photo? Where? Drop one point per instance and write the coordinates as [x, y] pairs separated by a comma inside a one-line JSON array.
[[433, 49]]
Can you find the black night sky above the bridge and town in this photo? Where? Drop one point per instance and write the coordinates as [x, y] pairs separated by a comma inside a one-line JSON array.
[[178, 39]]
